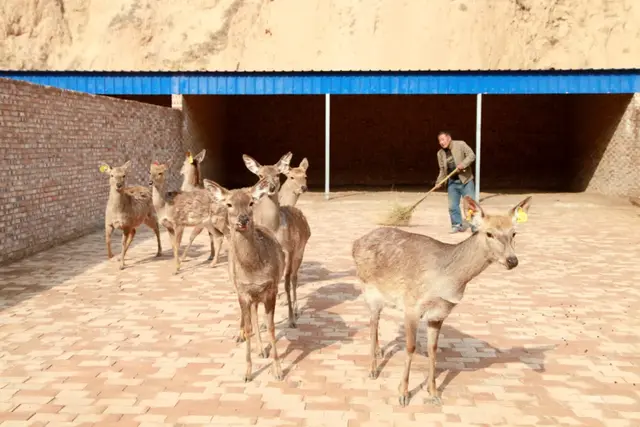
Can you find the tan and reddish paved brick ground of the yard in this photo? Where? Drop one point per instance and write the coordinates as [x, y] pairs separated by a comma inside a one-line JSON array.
[[553, 342]]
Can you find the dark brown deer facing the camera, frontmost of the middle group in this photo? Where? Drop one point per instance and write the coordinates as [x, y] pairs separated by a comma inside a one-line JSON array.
[[256, 263]]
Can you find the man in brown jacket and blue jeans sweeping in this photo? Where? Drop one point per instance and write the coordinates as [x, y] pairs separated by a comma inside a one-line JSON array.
[[456, 155]]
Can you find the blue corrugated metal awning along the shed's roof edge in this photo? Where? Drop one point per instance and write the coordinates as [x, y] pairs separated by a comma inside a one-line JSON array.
[[340, 83]]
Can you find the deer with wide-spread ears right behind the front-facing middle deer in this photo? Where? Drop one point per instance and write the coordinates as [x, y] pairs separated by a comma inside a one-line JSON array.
[[287, 222]]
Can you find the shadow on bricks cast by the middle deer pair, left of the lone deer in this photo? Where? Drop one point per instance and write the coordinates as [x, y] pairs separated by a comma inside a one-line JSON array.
[[318, 327]]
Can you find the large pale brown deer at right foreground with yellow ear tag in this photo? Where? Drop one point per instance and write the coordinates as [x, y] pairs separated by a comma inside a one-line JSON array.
[[423, 276]]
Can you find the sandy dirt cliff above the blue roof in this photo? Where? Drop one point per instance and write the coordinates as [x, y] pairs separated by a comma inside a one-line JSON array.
[[249, 35]]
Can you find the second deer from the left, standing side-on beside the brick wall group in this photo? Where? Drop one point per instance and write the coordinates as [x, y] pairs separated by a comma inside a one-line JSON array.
[[176, 210]]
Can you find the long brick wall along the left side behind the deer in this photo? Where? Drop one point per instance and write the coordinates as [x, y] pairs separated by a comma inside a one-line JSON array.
[[51, 144]]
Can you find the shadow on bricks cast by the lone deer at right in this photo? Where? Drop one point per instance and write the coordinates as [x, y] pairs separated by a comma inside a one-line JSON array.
[[454, 344]]
